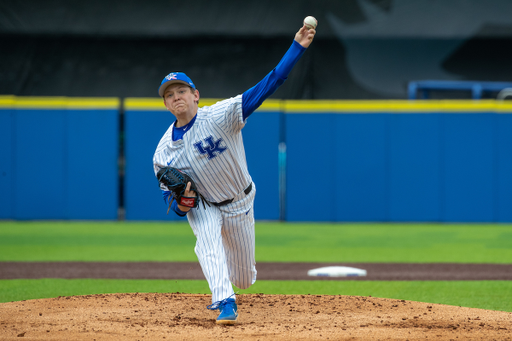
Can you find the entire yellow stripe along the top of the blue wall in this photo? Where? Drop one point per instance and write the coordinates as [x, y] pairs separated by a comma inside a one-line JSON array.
[[287, 106]]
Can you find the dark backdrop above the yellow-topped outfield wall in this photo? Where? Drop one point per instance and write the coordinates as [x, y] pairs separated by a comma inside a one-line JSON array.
[[364, 49]]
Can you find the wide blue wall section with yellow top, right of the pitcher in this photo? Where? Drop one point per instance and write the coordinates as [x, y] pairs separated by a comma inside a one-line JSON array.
[[423, 162]]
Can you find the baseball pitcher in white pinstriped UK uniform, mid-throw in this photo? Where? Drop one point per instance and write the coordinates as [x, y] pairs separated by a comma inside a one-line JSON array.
[[201, 167]]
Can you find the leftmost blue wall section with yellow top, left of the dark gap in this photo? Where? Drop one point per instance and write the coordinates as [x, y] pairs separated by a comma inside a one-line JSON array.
[[61, 158]]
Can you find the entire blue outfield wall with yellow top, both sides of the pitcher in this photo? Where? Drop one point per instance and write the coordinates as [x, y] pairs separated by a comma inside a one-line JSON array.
[[346, 161]]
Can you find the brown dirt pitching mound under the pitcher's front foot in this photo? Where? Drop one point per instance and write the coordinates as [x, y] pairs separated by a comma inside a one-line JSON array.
[[148, 316]]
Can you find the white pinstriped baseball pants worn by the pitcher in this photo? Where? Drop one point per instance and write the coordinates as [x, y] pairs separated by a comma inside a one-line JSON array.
[[225, 245]]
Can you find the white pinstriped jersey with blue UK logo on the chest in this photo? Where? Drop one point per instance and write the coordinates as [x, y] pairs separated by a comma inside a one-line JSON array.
[[211, 152]]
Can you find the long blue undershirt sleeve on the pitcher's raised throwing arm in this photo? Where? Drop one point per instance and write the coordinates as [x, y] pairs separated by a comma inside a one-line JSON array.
[[254, 97]]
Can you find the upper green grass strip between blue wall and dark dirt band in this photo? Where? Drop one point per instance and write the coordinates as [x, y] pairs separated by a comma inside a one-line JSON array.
[[275, 242]]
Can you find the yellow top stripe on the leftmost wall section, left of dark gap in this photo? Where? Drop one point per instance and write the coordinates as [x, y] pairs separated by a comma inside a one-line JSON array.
[[59, 102]]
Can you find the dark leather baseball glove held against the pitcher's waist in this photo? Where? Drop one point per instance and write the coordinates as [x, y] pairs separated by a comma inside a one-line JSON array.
[[176, 181]]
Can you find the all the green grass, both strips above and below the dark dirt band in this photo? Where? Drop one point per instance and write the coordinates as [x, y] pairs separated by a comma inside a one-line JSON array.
[[277, 242]]
